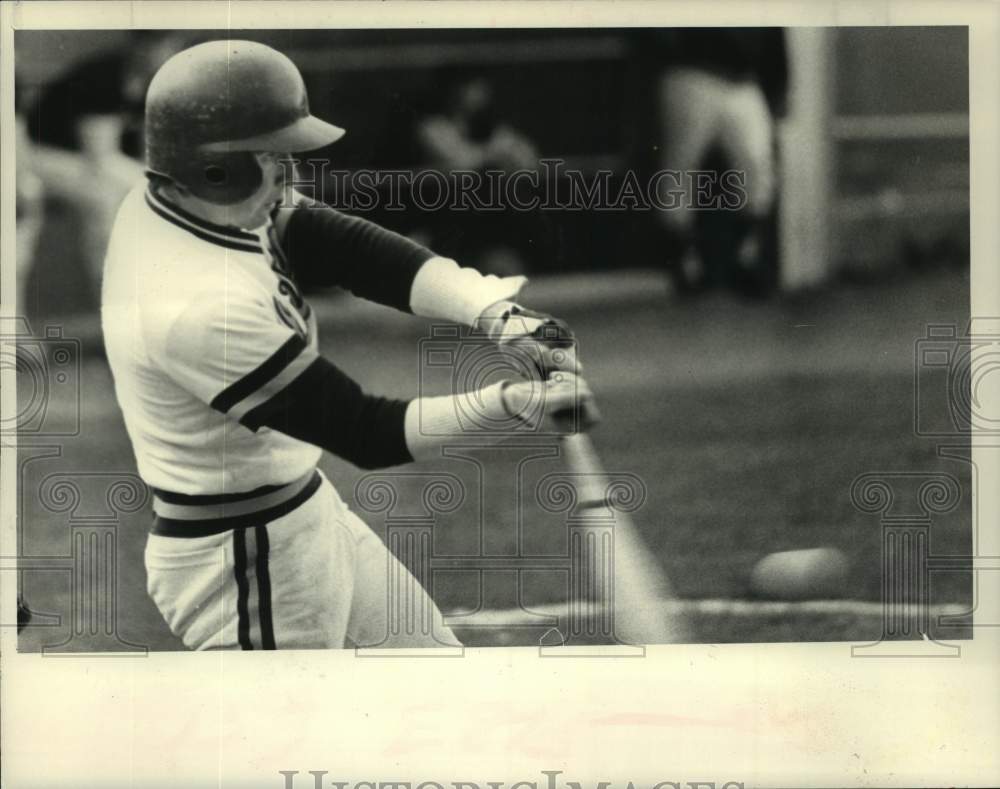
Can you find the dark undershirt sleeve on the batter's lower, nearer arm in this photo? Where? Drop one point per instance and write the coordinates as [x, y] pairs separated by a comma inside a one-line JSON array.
[[325, 407]]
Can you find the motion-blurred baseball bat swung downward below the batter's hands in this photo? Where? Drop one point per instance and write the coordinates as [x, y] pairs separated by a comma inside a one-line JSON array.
[[640, 585]]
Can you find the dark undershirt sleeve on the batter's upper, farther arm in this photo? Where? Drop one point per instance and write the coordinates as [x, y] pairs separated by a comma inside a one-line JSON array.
[[325, 248]]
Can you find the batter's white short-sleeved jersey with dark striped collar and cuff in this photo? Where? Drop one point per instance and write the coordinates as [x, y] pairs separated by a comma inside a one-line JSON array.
[[202, 325]]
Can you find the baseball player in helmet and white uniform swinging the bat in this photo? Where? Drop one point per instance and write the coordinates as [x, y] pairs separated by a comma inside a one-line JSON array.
[[226, 398]]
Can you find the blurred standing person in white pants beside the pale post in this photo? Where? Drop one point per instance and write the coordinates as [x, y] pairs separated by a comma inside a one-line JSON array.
[[718, 93]]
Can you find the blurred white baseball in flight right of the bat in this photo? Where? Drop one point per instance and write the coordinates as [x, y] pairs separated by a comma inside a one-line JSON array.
[[800, 575]]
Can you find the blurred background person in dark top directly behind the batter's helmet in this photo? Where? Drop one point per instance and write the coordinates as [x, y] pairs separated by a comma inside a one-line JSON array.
[[86, 130]]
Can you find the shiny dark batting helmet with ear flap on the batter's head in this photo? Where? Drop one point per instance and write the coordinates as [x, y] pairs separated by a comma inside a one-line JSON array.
[[211, 107]]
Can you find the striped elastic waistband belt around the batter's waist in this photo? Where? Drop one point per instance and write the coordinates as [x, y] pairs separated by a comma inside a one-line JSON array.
[[180, 515]]
